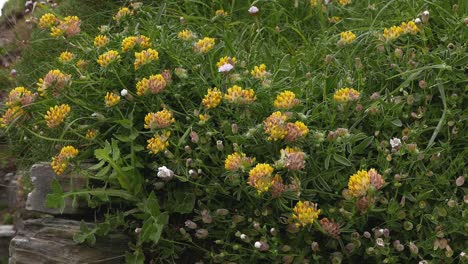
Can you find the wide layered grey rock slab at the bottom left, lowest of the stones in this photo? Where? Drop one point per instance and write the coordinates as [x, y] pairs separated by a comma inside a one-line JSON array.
[[50, 241]]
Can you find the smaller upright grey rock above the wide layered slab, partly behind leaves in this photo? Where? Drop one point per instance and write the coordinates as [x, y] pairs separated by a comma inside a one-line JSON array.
[[42, 176]]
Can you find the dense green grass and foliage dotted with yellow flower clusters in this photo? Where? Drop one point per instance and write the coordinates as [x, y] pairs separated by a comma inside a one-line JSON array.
[[384, 162]]
